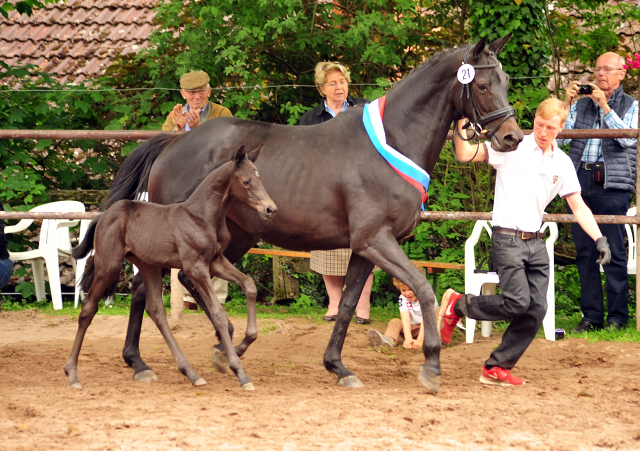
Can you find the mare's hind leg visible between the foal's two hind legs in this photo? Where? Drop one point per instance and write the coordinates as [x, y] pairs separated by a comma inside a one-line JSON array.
[[131, 350]]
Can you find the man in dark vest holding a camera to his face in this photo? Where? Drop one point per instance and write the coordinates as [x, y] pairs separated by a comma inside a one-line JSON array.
[[607, 174]]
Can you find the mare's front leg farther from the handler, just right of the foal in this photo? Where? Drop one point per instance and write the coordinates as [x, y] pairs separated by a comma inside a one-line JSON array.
[[357, 274]]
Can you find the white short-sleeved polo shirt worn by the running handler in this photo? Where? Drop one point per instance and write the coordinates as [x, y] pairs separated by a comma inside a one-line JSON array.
[[526, 183]]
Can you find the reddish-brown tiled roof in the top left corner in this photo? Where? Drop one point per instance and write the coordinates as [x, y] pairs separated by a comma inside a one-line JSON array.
[[77, 39]]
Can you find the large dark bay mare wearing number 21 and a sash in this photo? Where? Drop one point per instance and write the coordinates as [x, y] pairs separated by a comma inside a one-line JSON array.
[[332, 187]]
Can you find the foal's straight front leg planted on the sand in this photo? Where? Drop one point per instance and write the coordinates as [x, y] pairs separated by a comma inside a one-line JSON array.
[[200, 275]]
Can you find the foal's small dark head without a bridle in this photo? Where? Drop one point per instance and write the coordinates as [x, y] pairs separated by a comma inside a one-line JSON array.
[[247, 184]]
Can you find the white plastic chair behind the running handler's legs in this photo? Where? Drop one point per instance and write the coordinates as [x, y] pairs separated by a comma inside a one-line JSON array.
[[485, 283]]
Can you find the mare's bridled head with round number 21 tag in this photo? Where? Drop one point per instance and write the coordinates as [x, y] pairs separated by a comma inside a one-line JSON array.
[[482, 95]]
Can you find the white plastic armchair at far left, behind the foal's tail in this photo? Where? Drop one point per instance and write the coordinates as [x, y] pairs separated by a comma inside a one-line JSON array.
[[54, 242]]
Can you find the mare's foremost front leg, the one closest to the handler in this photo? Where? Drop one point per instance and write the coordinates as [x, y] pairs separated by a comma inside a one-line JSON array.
[[388, 255]]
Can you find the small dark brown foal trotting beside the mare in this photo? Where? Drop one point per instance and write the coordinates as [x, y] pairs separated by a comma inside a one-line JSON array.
[[192, 236]]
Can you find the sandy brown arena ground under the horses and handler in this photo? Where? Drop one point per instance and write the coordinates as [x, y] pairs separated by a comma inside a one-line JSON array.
[[578, 396]]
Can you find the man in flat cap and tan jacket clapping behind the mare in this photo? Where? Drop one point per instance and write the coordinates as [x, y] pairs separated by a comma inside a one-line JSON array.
[[196, 91]]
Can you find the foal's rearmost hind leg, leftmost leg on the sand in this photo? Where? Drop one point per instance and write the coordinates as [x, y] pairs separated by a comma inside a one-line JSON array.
[[101, 281]]
